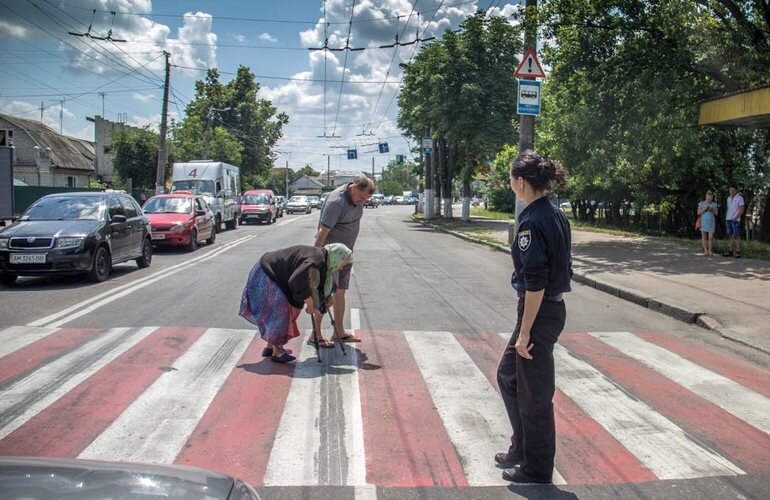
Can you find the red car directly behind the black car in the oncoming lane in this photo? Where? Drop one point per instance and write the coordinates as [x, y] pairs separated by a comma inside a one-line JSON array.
[[180, 219]]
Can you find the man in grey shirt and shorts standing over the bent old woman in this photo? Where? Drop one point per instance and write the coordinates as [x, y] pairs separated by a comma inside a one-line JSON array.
[[340, 221]]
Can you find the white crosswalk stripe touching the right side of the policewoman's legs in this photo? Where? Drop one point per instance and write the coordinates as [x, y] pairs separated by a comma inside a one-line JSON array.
[[659, 444]]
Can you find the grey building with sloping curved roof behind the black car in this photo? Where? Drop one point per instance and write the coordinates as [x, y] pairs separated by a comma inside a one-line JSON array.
[[43, 157]]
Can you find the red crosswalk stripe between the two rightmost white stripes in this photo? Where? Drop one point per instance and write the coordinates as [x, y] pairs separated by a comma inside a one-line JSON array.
[[728, 435]]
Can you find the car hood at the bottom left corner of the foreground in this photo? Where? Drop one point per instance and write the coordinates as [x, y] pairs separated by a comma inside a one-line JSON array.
[[32, 477]]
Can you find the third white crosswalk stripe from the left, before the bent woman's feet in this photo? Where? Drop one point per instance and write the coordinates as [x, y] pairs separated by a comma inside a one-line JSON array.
[[158, 423]]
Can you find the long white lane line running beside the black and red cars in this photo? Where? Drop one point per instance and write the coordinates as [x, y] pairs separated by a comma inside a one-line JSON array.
[[82, 308]]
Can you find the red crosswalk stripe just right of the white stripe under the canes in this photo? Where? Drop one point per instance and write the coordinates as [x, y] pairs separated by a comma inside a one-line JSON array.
[[406, 443]]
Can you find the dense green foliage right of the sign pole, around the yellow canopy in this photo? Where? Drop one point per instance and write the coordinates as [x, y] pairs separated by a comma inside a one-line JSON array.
[[620, 106]]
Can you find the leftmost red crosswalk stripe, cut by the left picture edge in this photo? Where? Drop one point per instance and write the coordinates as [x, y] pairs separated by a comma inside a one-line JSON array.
[[31, 357]]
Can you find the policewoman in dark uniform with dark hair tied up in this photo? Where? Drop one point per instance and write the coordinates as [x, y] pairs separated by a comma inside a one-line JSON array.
[[542, 271]]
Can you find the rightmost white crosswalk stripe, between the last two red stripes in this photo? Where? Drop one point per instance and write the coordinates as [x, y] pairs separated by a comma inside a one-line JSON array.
[[749, 406]]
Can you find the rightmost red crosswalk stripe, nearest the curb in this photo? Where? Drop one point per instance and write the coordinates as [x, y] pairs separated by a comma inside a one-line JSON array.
[[732, 367]]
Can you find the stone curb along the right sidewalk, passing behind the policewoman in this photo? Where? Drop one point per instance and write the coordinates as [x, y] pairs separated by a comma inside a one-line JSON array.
[[675, 311]]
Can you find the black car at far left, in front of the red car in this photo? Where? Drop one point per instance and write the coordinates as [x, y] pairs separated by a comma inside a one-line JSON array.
[[72, 233]]
